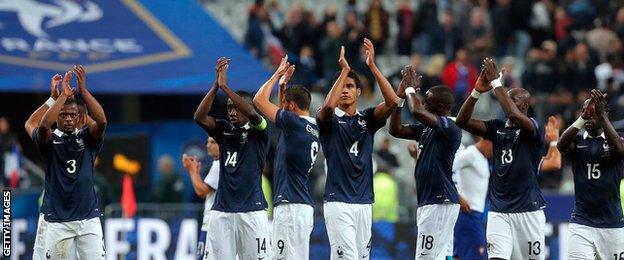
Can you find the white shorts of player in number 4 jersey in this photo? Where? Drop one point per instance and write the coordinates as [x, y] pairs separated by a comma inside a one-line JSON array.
[[349, 229]]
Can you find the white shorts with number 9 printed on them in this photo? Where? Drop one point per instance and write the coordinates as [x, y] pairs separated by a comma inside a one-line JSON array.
[[292, 226]]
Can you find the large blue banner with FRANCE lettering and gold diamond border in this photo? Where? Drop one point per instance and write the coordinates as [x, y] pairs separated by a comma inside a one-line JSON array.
[[127, 46]]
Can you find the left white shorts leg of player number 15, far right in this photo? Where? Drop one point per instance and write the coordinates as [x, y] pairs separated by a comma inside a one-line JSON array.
[[580, 242]]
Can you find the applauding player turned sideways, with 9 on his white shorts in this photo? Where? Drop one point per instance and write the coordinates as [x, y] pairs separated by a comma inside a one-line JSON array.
[[295, 155]]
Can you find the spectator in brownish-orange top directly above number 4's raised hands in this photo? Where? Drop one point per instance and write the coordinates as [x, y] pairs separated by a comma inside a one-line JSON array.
[[377, 24]]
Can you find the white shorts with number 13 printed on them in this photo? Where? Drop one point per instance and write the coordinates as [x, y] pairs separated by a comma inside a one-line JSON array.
[[516, 235]]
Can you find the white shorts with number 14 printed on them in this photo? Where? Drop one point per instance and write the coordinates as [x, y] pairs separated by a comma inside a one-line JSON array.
[[243, 233]]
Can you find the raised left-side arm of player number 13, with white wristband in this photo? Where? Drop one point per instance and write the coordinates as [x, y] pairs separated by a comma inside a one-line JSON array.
[[464, 117]]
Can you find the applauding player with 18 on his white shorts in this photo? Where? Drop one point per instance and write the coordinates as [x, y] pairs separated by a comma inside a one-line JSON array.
[[438, 138]]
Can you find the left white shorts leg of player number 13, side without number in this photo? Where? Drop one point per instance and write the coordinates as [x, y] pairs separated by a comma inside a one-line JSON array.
[[499, 236]]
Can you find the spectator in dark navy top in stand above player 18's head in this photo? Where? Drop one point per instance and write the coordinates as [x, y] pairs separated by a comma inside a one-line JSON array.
[[447, 38]]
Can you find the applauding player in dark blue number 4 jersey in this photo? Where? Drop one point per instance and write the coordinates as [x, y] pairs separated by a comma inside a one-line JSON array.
[[347, 139]]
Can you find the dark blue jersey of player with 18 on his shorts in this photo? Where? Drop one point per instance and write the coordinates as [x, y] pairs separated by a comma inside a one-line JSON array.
[[434, 168]]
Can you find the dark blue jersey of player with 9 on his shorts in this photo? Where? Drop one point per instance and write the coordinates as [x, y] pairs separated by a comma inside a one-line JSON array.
[[295, 155]]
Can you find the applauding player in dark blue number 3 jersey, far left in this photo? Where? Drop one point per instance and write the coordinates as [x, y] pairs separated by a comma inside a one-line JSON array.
[[70, 206]]
